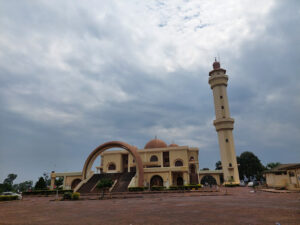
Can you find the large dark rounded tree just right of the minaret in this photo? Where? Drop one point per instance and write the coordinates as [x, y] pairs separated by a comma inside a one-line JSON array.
[[249, 165]]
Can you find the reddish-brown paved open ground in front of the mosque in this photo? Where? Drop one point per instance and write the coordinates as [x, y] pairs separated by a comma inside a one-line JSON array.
[[240, 206]]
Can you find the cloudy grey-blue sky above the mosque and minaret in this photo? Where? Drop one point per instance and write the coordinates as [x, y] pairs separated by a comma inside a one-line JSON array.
[[75, 74]]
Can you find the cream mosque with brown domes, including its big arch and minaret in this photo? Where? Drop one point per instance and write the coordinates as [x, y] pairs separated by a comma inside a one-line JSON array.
[[160, 164]]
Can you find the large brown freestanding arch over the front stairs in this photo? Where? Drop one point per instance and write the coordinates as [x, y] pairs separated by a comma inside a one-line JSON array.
[[115, 144]]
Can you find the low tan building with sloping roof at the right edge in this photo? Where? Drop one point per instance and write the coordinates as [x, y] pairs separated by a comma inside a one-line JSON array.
[[284, 176]]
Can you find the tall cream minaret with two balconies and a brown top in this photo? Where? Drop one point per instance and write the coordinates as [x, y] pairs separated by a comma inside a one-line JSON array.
[[224, 123]]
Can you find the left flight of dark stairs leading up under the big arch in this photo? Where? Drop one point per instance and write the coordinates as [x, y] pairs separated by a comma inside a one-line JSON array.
[[89, 186]]
